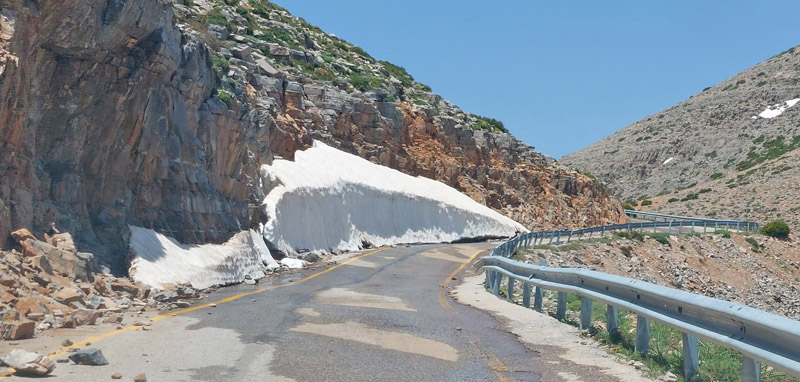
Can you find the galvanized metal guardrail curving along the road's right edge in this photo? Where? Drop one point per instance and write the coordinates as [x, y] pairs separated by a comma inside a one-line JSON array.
[[758, 335]]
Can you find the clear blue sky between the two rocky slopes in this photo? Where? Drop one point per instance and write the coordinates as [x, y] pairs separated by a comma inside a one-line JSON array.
[[563, 74]]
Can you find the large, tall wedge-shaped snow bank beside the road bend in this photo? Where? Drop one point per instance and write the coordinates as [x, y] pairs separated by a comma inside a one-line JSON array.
[[327, 199]]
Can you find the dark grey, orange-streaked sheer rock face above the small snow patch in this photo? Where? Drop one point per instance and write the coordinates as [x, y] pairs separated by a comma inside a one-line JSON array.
[[106, 119]]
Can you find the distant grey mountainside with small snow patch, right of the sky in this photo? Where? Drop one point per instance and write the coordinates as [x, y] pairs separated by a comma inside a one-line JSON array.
[[729, 151]]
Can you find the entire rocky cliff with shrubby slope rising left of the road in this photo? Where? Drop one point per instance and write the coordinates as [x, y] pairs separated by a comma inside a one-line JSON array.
[[159, 114]]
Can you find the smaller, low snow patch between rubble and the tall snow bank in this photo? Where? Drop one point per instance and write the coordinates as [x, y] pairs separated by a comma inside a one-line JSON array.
[[158, 260]]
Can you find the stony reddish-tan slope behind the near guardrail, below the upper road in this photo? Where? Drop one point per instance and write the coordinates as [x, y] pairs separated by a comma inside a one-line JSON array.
[[753, 270]]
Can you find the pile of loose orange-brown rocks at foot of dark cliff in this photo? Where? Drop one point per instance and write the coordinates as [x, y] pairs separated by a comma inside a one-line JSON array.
[[48, 284]]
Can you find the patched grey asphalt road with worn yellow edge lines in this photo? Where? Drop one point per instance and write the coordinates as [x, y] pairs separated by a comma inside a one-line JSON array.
[[380, 316]]
